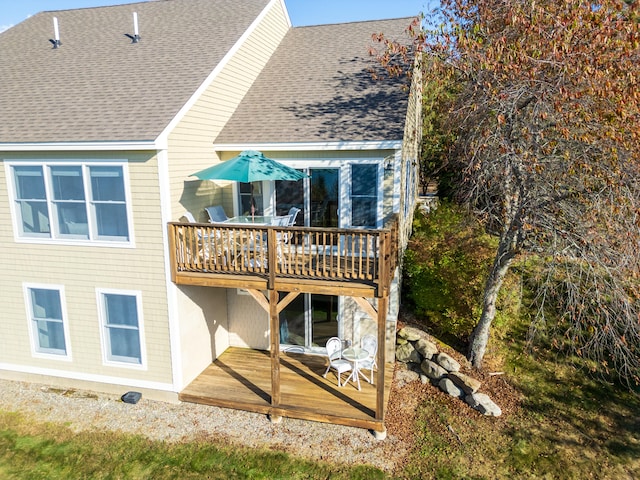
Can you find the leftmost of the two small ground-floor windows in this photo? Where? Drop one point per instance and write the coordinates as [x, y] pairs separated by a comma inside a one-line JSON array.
[[47, 320]]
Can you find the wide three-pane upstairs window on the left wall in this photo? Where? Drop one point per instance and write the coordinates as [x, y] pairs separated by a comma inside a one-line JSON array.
[[71, 202]]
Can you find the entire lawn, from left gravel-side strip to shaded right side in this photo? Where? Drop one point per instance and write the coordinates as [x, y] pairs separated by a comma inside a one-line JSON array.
[[566, 425]]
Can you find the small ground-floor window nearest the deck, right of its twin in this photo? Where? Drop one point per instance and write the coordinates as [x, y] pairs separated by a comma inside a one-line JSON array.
[[121, 320]]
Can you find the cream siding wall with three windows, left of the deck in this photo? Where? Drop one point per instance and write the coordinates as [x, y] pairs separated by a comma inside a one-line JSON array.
[[83, 269]]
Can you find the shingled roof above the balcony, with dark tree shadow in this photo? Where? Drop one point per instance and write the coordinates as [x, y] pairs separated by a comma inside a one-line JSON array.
[[318, 87]]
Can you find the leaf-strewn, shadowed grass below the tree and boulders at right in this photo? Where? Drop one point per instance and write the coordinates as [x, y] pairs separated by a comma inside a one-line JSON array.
[[566, 425]]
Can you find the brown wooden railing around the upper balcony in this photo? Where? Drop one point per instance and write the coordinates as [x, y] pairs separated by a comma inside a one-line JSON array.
[[366, 256]]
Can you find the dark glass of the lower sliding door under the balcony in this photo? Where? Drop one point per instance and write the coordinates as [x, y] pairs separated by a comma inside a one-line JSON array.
[[309, 321]]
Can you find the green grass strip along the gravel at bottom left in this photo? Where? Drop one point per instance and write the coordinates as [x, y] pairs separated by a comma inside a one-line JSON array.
[[31, 450]]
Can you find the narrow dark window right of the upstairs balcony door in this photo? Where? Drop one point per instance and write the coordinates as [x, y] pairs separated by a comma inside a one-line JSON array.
[[364, 195]]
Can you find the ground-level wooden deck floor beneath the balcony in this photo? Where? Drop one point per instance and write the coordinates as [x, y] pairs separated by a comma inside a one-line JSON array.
[[241, 379]]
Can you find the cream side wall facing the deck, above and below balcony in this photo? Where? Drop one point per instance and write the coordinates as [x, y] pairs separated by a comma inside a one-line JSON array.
[[204, 318]]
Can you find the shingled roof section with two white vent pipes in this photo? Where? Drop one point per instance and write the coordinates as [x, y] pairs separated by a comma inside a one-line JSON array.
[[98, 86]]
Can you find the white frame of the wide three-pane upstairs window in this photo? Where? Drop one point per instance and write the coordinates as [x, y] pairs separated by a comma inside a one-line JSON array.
[[55, 237]]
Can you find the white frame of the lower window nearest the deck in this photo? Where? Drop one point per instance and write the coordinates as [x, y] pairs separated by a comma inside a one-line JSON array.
[[107, 357]]
